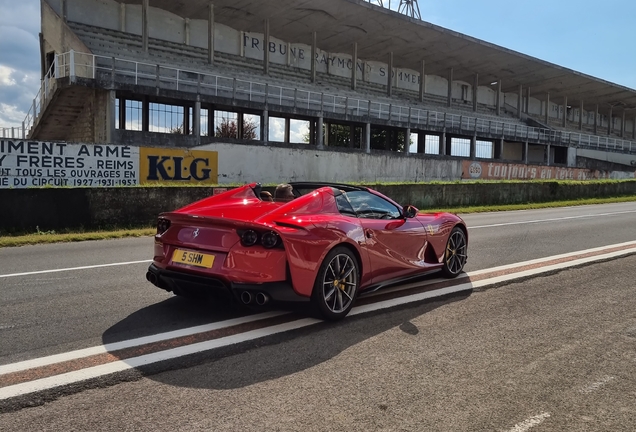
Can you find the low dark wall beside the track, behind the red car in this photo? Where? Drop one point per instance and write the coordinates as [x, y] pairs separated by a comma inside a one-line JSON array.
[[58, 208]]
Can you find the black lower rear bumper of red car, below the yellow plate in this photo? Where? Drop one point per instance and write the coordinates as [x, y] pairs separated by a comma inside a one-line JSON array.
[[171, 280]]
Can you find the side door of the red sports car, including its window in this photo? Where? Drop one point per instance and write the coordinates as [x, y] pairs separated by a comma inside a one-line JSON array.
[[395, 244]]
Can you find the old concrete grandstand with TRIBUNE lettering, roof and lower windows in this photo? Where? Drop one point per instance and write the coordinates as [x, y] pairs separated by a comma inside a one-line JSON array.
[[112, 68]]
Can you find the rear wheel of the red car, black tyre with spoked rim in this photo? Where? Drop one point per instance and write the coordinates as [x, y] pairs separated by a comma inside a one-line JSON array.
[[337, 284]]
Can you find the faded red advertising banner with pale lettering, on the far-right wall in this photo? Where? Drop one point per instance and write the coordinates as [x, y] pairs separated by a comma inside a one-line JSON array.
[[473, 170]]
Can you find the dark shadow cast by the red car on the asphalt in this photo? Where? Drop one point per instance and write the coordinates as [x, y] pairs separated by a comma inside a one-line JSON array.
[[270, 357]]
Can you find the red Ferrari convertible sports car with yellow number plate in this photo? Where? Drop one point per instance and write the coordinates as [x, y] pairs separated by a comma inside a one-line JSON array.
[[326, 244]]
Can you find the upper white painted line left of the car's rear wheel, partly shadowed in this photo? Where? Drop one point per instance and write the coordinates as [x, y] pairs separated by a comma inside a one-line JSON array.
[[116, 346]]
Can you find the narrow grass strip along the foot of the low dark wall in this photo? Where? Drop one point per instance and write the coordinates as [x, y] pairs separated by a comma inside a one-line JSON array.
[[43, 237]]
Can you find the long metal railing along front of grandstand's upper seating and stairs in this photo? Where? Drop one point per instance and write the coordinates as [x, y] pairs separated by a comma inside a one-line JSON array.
[[91, 66]]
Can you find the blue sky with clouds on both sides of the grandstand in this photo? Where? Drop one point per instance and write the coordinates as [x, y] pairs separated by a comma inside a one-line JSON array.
[[596, 38]]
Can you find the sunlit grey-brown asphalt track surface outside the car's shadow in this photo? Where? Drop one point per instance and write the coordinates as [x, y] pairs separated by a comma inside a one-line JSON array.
[[554, 346]]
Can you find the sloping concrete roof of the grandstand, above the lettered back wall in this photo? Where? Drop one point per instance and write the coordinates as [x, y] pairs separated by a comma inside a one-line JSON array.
[[379, 31]]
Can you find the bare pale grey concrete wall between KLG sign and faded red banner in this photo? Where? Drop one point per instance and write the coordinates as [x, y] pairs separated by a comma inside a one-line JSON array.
[[270, 164]]
